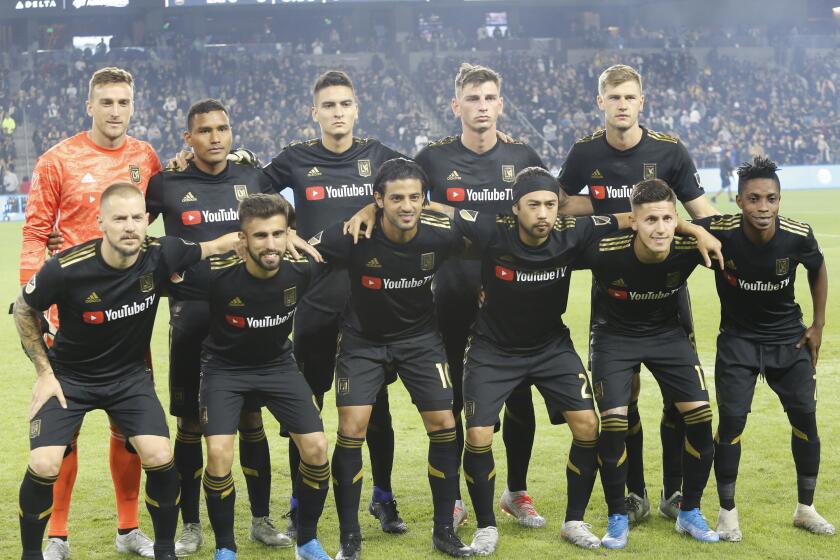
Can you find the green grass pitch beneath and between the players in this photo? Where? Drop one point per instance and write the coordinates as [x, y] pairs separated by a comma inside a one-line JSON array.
[[766, 487]]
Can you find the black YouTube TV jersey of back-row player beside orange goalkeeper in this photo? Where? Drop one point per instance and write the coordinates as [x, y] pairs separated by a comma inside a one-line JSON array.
[[201, 207]]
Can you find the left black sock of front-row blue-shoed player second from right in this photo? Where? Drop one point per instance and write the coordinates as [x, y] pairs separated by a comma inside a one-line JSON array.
[[612, 458]]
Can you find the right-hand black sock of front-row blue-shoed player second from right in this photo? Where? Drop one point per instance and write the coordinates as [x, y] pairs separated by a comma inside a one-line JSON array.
[[698, 452]]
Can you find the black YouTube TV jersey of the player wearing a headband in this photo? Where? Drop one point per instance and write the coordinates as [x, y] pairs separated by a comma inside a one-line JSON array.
[[526, 288]]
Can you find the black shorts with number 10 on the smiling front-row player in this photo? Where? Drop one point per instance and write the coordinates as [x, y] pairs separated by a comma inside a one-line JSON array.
[[362, 367]]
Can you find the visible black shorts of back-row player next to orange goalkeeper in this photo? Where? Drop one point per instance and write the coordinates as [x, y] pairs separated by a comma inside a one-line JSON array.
[[189, 326]]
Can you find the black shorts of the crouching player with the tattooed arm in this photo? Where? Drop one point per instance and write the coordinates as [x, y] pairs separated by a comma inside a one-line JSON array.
[[131, 403]]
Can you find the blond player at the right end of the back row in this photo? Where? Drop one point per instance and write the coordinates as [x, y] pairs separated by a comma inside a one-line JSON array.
[[609, 163]]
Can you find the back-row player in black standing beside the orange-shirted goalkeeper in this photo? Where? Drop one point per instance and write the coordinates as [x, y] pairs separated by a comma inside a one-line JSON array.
[[199, 204]]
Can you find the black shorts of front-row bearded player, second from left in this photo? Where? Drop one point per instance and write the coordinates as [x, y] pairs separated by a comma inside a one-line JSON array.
[[281, 388]]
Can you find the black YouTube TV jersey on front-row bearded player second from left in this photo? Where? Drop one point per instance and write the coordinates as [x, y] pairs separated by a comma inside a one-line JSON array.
[[251, 318]]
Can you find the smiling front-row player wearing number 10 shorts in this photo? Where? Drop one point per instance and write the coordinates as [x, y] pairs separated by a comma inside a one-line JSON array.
[[390, 324]]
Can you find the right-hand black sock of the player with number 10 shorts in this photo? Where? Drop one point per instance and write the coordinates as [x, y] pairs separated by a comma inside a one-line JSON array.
[[443, 473]]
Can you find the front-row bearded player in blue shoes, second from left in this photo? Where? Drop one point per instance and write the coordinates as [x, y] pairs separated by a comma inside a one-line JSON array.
[[248, 356]]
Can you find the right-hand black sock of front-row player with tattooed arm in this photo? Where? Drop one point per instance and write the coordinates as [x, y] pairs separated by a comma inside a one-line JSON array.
[[162, 500]]
